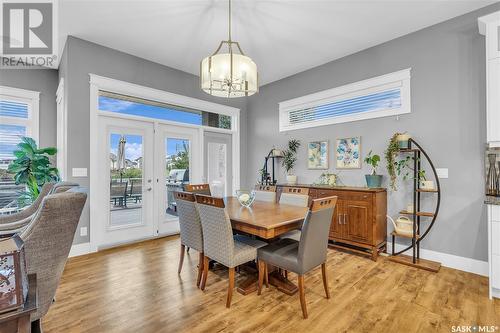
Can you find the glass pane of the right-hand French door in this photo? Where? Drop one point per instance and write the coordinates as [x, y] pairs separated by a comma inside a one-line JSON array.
[[177, 171]]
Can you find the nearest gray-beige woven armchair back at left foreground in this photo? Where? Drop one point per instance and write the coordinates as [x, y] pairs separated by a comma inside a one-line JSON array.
[[47, 242]]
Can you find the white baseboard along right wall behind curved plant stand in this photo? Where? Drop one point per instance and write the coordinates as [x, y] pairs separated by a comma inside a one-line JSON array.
[[449, 260]]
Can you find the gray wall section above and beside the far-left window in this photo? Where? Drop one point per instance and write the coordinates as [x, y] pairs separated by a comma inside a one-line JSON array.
[[45, 81]]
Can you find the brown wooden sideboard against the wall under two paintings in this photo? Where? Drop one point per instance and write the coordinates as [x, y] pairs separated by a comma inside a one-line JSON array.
[[359, 222]]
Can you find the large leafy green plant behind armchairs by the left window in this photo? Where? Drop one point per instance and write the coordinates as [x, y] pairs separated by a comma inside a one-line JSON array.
[[32, 167]]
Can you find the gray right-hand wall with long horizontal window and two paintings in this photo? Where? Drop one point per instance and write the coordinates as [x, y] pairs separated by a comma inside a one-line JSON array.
[[448, 119]]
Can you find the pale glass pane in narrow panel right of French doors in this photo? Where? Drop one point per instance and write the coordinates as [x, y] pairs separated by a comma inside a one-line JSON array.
[[217, 168]]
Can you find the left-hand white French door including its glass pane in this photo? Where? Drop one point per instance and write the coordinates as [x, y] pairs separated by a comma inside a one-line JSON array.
[[126, 174]]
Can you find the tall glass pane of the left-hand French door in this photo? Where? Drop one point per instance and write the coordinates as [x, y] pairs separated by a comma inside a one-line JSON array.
[[126, 180]]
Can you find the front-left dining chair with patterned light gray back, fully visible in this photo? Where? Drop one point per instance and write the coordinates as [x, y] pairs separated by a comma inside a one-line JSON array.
[[219, 244]]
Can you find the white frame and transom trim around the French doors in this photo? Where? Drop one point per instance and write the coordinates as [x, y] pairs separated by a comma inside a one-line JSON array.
[[98, 83]]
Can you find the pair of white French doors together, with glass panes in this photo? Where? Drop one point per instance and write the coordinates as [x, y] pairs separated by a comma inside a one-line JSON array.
[[142, 165]]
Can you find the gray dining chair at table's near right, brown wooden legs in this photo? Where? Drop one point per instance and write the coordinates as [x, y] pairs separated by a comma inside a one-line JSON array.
[[303, 256]]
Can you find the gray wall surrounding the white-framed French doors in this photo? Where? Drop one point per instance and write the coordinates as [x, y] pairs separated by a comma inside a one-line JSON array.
[[81, 58]]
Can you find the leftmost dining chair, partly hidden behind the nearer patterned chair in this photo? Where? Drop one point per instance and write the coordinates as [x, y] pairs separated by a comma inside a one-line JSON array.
[[190, 228]]
